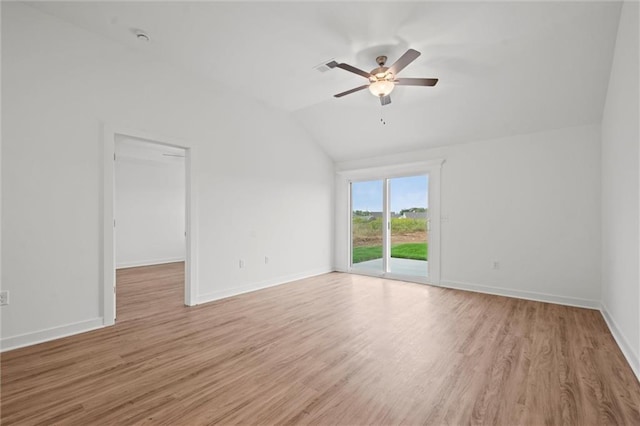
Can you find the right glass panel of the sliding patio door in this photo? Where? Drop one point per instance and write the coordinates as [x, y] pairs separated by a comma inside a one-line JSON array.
[[409, 216]]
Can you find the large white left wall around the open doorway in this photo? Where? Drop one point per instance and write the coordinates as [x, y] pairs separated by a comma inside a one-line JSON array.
[[262, 186]]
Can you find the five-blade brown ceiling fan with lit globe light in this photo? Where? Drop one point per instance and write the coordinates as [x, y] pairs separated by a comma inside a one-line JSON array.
[[382, 80]]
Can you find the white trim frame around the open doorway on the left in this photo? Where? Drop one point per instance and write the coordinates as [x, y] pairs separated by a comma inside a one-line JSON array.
[[108, 225]]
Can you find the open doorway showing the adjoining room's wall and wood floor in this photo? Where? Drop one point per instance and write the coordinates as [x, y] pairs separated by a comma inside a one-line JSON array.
[[150, 213]]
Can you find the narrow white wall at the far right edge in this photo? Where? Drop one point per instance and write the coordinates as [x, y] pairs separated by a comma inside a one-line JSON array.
[[620, 191]]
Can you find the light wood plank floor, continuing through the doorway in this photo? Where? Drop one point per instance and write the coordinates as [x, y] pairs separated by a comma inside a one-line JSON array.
[[334, 349]]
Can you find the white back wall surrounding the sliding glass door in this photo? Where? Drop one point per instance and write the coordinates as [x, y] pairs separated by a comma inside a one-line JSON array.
[[530, 202]]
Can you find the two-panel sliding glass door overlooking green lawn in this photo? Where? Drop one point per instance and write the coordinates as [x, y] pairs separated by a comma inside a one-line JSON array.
[[389, 226]]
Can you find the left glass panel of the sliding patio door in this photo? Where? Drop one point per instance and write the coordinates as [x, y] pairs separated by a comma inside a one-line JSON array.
[[367, 221]]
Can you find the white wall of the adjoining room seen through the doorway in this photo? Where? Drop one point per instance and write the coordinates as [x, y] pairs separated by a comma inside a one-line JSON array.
[[149, 206]]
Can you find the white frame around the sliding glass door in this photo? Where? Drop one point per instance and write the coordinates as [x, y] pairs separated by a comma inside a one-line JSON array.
[[431, 168]]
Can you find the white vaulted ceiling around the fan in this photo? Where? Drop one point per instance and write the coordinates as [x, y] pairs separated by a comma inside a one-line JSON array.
[[505, 68]]
